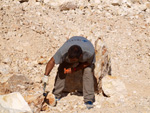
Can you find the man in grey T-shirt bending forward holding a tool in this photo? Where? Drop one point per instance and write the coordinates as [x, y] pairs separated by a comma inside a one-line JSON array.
[[80, 51]]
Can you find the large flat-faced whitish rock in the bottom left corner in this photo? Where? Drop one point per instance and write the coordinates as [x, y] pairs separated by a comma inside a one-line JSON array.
[[13, 103]]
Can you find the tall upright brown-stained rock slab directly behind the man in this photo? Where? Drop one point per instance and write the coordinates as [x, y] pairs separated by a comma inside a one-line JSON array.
[[103, 63]]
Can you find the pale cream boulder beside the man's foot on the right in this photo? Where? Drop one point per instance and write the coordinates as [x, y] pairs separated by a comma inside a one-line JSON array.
[[115, 88]]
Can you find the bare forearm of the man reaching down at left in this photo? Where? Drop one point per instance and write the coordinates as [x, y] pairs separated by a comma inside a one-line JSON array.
[[49, 66]]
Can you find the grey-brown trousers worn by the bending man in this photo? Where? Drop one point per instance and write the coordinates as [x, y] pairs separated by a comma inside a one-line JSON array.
[[87, 79]]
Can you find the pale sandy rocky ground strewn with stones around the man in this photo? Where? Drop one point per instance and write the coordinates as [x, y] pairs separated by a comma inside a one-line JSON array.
[[31, 32]]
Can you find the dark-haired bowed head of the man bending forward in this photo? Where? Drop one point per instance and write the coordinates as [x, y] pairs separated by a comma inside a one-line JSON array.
[[74, 53]]
